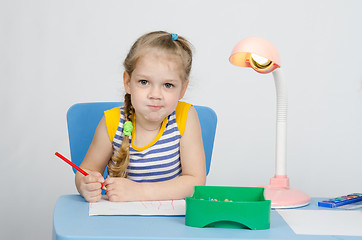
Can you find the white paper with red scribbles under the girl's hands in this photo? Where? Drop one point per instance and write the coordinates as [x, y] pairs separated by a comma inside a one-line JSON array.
[[105, 207]]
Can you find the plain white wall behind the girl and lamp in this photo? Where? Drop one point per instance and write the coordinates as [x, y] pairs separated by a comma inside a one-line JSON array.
[[57, 53]]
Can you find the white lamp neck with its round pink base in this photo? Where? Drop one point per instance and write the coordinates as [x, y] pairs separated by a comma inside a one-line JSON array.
[[279, 192]]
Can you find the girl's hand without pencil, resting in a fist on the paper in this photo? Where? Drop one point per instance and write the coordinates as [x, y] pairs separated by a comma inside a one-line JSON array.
[[121, 189]]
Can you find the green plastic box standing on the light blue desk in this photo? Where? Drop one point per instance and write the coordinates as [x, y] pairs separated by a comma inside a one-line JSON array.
[[228, 207]]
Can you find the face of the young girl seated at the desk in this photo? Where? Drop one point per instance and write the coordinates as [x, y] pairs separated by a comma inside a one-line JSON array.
[[155, 86]]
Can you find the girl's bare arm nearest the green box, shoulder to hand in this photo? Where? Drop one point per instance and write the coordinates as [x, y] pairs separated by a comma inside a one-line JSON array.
[[193, 172]]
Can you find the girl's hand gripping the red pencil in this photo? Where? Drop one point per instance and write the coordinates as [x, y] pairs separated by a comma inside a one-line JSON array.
[[90, 186]]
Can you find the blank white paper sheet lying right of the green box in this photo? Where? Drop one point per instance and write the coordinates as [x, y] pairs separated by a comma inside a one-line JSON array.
[[323, 222]]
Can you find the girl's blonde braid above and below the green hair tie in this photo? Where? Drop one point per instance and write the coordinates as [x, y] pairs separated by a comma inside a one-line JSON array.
[[117, 165]]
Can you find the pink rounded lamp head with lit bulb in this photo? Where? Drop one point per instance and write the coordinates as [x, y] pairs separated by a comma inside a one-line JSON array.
[[257, 53]]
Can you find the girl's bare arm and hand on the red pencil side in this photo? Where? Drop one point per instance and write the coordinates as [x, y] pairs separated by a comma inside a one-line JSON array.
[[94, 163]]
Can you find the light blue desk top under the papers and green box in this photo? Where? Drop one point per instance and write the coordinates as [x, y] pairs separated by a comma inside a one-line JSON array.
[[71, 221]]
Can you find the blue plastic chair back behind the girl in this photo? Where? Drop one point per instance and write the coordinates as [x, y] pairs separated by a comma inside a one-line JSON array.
[[83, 119]]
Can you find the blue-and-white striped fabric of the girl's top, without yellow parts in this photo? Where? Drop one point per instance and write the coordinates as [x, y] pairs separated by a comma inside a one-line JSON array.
[[159, 162]]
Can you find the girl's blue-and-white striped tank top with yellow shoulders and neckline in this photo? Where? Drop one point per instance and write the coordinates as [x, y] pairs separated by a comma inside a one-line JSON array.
[[160, 159]]
